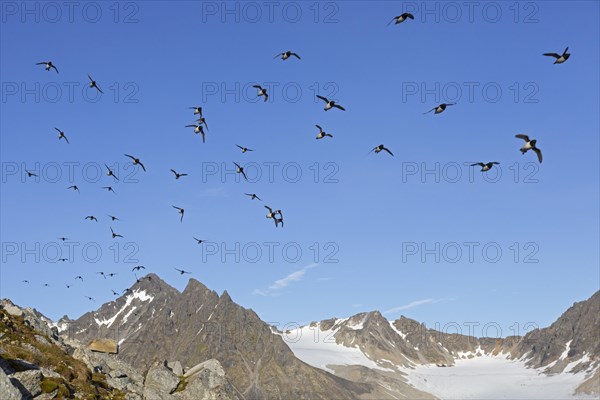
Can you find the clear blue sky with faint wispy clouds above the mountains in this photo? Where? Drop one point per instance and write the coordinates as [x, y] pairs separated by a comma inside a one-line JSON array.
[[375, 220]]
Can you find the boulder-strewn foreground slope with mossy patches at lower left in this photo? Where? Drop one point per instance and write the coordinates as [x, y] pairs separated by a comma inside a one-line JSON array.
[[35, 363]]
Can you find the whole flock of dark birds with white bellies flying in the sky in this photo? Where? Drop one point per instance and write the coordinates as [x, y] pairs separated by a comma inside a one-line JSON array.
[[200, 125]]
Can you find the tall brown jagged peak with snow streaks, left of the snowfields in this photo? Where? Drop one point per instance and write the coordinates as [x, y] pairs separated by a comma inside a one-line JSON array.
[[153, 321]]
